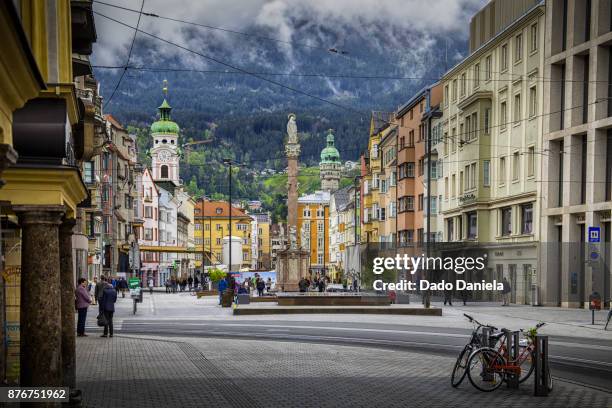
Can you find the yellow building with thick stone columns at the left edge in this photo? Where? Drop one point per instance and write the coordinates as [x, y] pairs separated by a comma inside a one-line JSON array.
[[46, 133]]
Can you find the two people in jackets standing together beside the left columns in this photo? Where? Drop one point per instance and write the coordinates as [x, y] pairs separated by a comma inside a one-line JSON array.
[[104, 295]]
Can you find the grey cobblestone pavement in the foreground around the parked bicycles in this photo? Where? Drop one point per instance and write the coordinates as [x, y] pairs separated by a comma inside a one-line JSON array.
[[134, 371]]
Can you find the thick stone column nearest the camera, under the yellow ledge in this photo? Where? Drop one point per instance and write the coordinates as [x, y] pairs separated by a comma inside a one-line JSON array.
[[41, 339]]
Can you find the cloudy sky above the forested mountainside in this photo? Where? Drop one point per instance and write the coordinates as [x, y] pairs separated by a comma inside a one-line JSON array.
[[401, 26]]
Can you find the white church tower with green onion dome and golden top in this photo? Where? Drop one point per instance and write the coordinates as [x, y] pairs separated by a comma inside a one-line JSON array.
[[165, 150]]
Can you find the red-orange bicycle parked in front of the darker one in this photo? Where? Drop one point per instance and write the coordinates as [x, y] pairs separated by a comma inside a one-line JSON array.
[[489, 367]]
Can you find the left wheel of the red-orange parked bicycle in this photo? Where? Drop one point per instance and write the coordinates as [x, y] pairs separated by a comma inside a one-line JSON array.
[[485, 369]]
